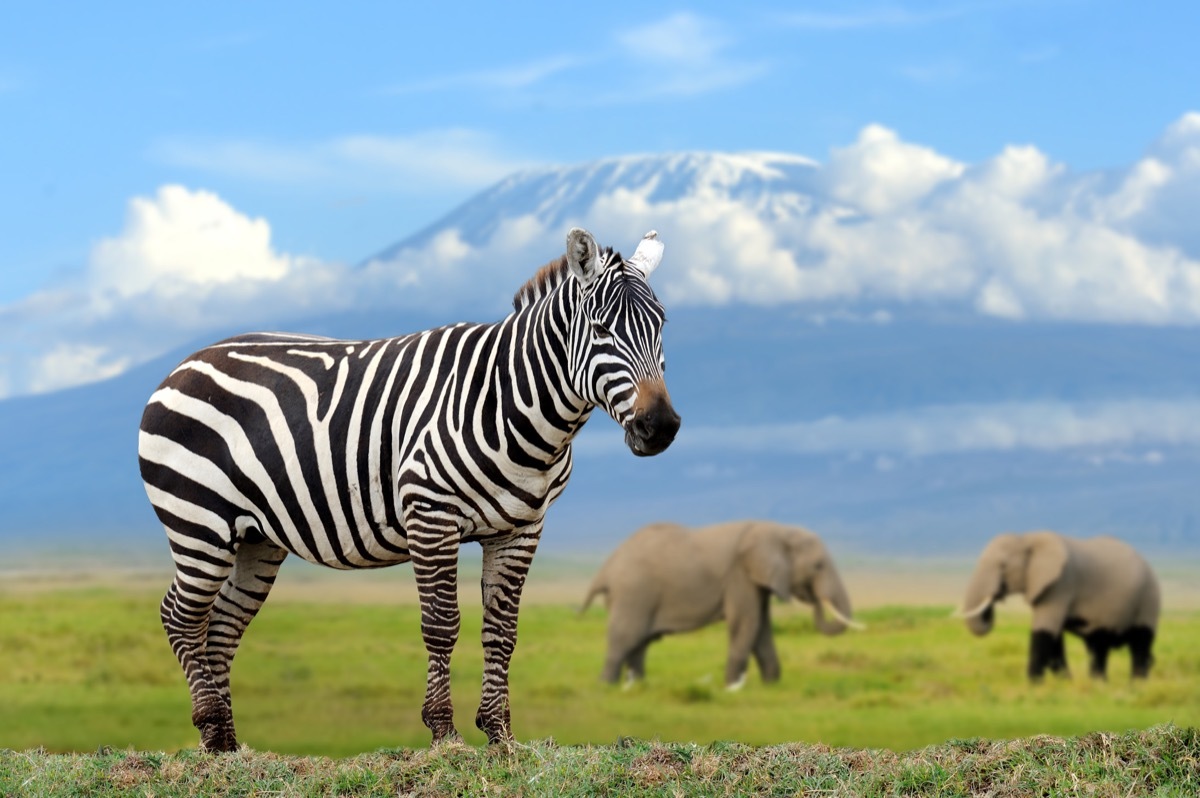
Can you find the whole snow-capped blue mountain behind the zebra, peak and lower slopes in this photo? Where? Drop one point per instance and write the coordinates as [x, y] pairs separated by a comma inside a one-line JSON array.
[[890, 429]]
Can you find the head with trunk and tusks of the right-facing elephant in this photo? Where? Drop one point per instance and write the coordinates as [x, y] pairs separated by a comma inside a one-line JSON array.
[[795, 563]]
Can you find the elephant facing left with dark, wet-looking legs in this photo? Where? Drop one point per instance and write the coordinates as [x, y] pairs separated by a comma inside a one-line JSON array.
[[1099, 589]]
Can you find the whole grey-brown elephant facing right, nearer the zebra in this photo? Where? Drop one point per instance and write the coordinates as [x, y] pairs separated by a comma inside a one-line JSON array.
[[667, 579]]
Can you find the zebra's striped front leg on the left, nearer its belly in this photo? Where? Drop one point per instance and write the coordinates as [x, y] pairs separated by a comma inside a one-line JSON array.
[[434, 548]]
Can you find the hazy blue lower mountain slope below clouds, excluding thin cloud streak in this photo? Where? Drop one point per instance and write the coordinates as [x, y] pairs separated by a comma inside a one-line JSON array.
[[70, 460]]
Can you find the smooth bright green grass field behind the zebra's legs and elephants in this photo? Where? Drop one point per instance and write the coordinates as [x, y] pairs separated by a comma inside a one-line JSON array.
[[91, 668]]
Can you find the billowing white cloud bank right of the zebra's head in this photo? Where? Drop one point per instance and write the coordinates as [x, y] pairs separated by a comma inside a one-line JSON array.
[[890, 223]]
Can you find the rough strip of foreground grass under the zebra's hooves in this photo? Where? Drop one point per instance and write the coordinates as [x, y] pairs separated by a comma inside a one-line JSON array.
[[1162, 761]]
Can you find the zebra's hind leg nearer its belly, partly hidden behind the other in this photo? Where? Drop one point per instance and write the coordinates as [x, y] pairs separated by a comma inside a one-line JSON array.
[[239, 602]]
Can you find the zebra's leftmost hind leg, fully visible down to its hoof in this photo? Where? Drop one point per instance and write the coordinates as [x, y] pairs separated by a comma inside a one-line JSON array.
[[185, 613]]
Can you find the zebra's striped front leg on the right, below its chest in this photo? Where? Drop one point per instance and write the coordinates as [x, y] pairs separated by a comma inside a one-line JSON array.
[[506, 566]]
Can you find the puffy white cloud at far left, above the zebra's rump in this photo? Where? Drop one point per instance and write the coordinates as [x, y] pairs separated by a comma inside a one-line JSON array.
[[185, 265]]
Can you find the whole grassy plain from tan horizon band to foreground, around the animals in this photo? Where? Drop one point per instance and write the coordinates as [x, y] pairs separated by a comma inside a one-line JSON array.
[[334, 669]]
